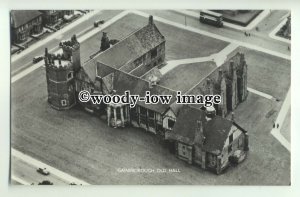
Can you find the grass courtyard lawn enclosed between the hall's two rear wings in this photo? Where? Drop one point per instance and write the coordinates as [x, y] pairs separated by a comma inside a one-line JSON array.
[[185, 76]]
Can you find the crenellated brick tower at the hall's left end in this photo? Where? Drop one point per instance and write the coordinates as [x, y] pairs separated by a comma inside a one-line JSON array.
[[60, 81]]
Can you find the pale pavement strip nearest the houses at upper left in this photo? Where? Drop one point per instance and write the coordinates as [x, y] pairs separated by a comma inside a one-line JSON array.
[[55, 35]]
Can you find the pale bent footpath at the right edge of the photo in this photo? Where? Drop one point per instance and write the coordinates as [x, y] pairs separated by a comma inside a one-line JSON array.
[[280, 118]]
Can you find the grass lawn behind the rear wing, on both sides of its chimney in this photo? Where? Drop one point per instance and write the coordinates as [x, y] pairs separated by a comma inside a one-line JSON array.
[[180, 43]]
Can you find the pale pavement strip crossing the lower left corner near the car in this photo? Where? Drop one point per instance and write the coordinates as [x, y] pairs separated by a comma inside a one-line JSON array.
[[52, 170]]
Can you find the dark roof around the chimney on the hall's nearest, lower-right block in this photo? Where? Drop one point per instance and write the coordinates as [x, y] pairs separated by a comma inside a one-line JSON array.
[[215, 131]]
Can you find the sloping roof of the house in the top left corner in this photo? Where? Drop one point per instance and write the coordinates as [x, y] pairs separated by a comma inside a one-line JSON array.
[[21, 17]]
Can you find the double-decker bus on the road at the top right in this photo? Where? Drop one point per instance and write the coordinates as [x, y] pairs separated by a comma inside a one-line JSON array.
[[211, 18]]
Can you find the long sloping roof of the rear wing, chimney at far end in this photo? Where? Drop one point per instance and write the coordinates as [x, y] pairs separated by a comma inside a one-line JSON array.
[[132, 47]]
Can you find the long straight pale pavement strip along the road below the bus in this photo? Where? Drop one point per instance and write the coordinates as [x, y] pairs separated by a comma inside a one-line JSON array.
[[209, 34]]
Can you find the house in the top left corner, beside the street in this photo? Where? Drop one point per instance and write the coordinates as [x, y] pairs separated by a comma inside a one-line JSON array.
[[25, 23]]
